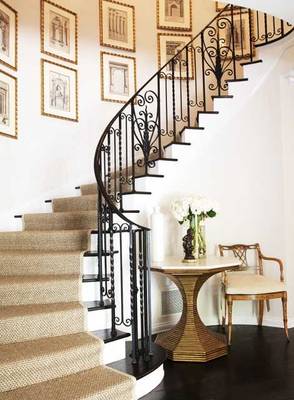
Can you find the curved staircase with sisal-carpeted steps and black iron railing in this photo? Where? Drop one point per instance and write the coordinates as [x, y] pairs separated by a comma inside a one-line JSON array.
[[44, 347]]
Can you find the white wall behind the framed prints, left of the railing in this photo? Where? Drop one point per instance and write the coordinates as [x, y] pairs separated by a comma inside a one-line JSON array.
[[52, 156]]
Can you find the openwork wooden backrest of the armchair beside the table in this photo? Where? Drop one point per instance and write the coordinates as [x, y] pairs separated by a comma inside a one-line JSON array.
[[241, 251]]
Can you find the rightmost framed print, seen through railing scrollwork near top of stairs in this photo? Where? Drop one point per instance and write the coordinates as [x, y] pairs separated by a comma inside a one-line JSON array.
[[242, 24]]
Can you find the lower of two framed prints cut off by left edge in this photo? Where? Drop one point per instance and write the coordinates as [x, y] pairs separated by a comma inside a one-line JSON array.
[[8, 105]]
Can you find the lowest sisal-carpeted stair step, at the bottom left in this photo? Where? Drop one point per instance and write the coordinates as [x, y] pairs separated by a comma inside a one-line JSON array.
[[100, 383]]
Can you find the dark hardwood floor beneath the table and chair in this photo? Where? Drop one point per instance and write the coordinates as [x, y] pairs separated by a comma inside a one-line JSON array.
[[260, 366]]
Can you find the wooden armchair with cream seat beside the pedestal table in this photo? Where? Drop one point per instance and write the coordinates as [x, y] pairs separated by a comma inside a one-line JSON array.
[[250, 284]]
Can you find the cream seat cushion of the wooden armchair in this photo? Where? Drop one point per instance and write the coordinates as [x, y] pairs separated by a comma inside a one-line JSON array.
[[247, 283]]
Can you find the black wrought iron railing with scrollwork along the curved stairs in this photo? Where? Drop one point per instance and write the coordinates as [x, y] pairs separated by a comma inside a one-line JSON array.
[[155, 117]]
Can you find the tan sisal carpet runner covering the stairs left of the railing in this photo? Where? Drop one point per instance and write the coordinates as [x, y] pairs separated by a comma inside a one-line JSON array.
[[45, 351]]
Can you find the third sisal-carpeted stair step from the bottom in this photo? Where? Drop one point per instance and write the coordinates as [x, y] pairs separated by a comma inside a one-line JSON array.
[[34, 321]]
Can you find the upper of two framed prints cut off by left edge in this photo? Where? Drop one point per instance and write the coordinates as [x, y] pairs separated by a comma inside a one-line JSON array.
[[8, 35]]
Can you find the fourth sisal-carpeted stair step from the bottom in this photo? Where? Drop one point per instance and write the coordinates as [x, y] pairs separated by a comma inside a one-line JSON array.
[[21, 290]]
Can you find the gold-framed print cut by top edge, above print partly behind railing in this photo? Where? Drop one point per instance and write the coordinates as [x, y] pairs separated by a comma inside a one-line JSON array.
[[174, 15]]
